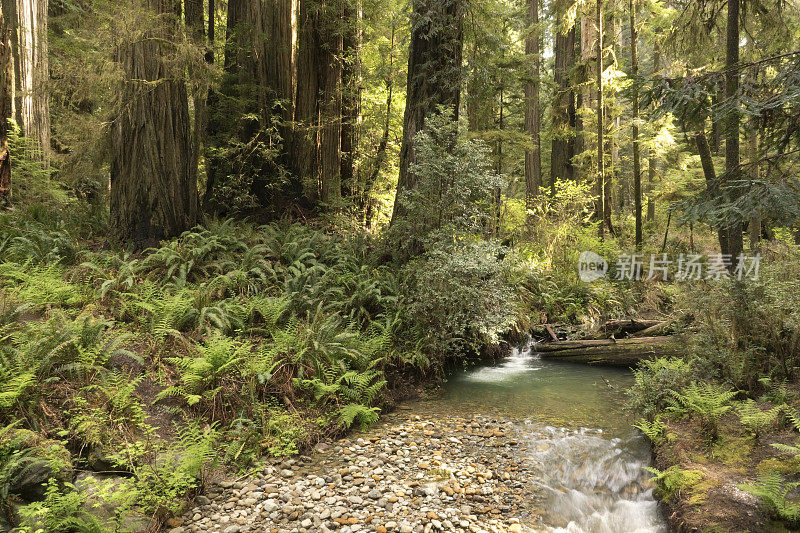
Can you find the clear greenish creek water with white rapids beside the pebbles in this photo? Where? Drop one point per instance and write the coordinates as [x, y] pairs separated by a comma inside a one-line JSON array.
[[589, 462]]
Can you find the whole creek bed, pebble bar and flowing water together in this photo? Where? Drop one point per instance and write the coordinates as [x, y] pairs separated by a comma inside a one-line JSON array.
[[523, 445]]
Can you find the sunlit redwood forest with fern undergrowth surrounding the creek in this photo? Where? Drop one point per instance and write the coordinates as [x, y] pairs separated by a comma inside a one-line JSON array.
[[232, 229]]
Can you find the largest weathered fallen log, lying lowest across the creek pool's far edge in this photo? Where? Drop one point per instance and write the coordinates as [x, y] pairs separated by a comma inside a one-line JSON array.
[[610, 352]]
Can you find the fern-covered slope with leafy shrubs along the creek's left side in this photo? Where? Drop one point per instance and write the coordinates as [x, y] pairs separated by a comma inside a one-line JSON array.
[[139, 373]]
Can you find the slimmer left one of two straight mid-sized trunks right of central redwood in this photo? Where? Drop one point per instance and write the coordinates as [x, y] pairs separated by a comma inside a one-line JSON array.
[[533, 154]]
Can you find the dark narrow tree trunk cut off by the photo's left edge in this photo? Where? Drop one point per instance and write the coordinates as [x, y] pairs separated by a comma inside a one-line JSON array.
[[6, 104]]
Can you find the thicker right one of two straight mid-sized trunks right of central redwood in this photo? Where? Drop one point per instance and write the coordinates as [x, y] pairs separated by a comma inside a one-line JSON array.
[[563, 143]]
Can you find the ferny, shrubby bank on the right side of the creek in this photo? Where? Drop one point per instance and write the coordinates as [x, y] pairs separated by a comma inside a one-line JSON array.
[[726, 417]]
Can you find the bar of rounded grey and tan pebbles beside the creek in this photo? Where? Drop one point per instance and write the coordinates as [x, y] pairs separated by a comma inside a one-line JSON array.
[[413, 476]]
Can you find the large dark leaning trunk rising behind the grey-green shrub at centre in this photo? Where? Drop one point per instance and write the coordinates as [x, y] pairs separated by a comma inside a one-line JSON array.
[[434, 77]]
